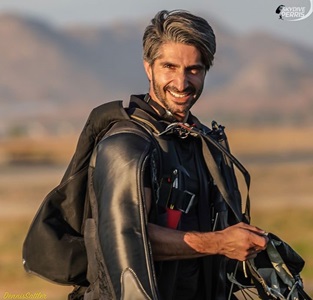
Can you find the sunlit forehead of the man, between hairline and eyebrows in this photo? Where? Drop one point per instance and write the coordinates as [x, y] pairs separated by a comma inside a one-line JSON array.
[[179, 53]]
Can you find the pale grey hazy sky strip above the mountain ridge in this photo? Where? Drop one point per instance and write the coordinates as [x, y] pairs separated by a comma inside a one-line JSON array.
[[241, 15]]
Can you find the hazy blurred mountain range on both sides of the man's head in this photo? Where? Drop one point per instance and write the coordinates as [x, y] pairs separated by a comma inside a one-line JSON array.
[[51, 77]]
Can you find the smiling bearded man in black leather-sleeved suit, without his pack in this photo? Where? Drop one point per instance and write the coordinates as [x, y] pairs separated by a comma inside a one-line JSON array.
[[154, 201]]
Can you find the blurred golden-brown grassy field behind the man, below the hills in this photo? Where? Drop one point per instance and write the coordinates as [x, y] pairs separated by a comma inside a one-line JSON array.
[[279, 160]]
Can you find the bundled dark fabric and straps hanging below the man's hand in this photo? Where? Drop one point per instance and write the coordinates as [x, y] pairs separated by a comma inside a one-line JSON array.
[[273, 274]]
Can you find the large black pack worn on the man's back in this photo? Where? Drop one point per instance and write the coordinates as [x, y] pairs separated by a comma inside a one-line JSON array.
[[54, 246]]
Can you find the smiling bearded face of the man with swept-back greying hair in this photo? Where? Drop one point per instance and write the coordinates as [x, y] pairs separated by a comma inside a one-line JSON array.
[[176, 78]]
